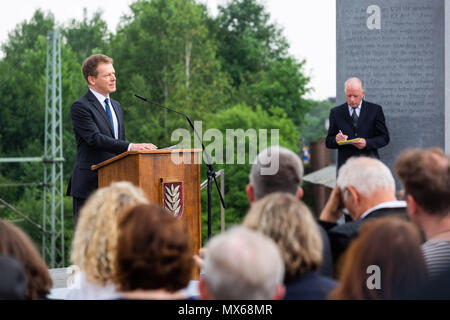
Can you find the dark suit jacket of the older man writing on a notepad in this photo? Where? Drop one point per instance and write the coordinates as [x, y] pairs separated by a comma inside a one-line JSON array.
[[371, 126]]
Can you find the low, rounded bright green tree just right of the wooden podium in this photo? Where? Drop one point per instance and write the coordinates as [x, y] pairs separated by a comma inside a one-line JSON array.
[[243, 117]]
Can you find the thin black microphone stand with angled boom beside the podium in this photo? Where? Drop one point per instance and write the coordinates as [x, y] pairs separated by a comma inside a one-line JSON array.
[[211, 173]]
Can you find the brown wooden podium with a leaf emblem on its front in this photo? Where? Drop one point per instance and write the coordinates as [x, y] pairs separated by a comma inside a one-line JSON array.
[[168, 177]]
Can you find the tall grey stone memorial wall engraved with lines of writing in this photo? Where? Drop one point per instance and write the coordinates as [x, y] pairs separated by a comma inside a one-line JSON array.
[[398, 49]]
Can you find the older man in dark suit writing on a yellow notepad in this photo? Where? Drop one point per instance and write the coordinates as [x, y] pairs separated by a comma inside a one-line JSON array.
[[357, 119]]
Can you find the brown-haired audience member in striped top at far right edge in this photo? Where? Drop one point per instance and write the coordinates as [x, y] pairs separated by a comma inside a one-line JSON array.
[[425, 175]]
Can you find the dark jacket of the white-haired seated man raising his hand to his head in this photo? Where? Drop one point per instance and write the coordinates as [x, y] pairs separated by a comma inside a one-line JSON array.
[[341, 235]]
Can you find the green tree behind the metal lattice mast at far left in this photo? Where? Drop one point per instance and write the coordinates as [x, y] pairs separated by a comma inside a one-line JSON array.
[[23, 78]]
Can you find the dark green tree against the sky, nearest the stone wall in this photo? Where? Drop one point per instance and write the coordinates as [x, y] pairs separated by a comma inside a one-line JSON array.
[[254, 52]]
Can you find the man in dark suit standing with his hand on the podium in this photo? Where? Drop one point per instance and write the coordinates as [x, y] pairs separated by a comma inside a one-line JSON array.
[[97, 122]]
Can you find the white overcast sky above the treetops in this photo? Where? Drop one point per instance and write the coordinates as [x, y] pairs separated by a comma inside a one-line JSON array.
[[309, 26]]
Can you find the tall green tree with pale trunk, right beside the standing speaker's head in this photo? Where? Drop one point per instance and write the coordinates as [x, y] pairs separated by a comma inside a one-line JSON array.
[[165, 50]]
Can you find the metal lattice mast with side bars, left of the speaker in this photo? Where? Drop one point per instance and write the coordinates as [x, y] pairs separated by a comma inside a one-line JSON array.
[[52, 228]]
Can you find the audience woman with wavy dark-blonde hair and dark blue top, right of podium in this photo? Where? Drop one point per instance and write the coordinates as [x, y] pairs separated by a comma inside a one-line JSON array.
[[290, 224]]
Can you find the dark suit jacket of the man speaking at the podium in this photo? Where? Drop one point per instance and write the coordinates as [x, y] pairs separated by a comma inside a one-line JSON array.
[[95, 142]]
